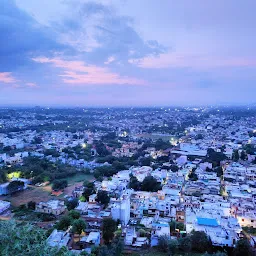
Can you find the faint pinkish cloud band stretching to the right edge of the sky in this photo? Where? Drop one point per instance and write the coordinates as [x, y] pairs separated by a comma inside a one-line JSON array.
[[174, 60]]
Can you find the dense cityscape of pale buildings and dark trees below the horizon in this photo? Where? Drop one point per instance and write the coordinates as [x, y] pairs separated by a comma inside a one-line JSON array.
[[128, 181]]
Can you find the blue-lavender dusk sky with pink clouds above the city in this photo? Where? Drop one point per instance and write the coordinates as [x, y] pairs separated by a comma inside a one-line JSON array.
[[127, 52]]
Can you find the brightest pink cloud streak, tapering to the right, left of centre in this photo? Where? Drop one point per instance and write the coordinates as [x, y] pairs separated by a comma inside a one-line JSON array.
[[77, 72]]
